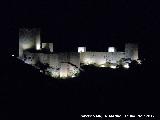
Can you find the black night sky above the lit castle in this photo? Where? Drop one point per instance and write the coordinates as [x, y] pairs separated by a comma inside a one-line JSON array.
[[87, 23]]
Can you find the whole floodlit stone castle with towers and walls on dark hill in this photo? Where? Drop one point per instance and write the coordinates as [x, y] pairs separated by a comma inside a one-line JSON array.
[[68, 64]]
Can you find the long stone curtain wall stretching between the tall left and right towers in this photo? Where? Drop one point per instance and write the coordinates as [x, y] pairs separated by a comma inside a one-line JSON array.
[[62, 60]]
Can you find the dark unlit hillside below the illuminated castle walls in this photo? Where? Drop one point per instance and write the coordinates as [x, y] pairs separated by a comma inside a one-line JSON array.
[[98, 90]]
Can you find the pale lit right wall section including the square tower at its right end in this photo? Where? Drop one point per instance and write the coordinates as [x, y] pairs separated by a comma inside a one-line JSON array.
[[112, 56]]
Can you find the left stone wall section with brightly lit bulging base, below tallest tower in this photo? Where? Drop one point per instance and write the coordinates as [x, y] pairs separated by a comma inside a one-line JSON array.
[[61, 64]]
